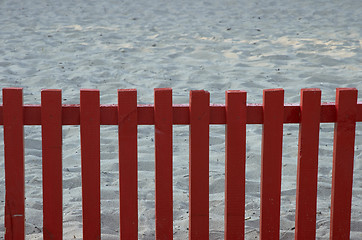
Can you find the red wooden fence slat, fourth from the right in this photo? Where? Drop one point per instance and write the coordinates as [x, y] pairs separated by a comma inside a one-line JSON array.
[[235, 142]]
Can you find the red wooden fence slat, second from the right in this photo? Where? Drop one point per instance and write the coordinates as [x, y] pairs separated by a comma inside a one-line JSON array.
[[307, 173]]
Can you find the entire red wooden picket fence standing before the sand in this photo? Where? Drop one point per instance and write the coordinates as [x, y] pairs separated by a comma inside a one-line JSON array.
[[199, 114]]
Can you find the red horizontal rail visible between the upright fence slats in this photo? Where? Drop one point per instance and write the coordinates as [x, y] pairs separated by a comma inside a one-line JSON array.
[[145, 113]]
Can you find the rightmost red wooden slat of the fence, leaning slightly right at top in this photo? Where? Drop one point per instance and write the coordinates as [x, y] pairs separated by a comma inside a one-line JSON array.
[[343, 155]]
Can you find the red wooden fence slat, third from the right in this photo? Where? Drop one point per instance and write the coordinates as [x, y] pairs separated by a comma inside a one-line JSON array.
[[271, 165]]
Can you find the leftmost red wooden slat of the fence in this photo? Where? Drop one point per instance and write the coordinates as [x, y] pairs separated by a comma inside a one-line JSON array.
[[14, 163]]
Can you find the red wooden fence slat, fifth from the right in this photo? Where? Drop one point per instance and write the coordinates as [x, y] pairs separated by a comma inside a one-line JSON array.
[[199, 165]]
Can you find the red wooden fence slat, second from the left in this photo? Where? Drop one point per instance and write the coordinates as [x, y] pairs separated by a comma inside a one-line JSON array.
[[51, 121]]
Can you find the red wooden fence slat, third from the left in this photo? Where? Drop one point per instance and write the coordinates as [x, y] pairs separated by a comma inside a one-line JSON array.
[[90, 155]]
